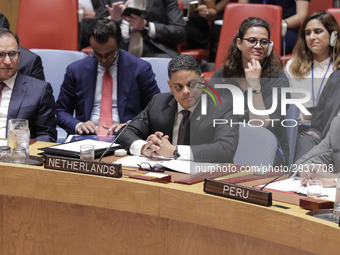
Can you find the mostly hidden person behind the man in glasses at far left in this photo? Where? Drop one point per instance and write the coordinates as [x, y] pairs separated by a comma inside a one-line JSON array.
[[30, 63]]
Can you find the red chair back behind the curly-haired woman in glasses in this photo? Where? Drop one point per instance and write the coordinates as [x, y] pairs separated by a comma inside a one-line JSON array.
[[235, 14]]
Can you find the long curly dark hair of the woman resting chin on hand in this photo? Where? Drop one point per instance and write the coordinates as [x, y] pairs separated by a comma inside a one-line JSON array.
[[232, 68]]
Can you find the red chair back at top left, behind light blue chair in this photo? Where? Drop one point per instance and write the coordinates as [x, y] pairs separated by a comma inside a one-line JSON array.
[[47, 24]]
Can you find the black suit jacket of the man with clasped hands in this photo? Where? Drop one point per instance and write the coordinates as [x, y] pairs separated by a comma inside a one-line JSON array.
[[208, 144]]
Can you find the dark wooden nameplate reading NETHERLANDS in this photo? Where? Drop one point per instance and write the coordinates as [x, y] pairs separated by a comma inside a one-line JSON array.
[[83, 166]]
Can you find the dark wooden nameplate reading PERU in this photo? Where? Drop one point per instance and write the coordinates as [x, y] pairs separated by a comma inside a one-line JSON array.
[[238, 192]]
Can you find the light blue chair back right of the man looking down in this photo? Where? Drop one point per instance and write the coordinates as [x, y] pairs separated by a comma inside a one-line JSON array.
[[160, 68]]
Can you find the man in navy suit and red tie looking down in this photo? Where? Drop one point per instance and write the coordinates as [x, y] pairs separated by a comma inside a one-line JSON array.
[[132, 83]]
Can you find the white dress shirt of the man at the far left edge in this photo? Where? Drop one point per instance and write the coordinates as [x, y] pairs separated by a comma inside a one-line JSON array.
[[6, 98]]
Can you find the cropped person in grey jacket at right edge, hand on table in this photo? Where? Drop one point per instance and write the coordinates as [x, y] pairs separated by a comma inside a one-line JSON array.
[[323, 161]]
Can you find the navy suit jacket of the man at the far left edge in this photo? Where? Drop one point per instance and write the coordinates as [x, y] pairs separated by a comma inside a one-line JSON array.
[[33, 100]]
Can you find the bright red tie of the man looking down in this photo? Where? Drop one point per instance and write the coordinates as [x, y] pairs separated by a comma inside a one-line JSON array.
[[105, 117]]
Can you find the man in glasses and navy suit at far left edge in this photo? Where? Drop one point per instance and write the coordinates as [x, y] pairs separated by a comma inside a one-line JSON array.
[[22, 96]]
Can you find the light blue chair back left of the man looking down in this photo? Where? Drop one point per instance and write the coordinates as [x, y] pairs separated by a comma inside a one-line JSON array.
[[55, 63]]
